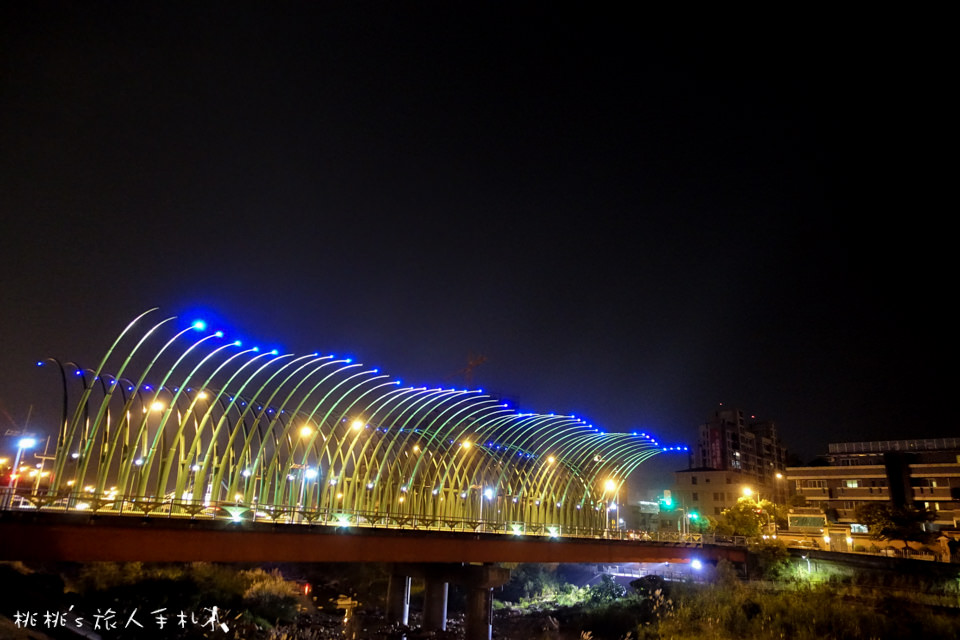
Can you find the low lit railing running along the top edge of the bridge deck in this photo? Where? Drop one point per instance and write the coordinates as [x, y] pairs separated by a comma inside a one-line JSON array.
[[167, 507]]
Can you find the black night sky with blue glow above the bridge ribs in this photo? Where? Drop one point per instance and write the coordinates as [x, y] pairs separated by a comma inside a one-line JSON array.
[[632, 217]]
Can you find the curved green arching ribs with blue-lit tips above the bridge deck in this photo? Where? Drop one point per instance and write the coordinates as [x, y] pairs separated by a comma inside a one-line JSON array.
[[184, 421]]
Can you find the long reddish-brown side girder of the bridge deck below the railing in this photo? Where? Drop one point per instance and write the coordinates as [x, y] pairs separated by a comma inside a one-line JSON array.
[[85, 538]]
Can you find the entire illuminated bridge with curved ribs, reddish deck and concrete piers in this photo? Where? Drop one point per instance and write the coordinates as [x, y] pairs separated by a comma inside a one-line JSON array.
[[228, 452]]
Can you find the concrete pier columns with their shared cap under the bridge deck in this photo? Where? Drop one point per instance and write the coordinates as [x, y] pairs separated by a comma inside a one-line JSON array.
[[479, 580]]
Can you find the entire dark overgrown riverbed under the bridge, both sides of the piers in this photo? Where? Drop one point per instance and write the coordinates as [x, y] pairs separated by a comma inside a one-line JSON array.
[[785, 598]]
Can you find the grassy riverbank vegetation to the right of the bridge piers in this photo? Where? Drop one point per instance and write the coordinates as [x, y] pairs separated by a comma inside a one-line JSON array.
[[728, 608]]
